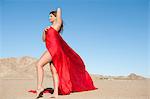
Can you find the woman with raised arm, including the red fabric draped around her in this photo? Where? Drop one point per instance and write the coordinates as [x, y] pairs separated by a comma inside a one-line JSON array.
[[68, 70]]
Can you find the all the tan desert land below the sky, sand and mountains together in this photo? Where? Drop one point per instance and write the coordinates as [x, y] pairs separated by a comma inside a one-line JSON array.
[[18, 75]]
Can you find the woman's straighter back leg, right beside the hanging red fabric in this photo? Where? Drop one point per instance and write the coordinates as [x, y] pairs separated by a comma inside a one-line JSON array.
[[55, 79]]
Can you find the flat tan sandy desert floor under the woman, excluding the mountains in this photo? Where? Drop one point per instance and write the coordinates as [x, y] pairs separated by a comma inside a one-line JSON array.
[[107, 89]]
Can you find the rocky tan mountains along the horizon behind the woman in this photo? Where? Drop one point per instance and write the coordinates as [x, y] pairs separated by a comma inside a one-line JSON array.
[[25, 68]]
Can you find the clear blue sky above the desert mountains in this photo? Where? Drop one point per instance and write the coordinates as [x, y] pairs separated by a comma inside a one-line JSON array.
[[111, 36]]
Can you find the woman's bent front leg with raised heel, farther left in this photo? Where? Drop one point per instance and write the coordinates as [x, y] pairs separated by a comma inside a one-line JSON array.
[[44, 59]]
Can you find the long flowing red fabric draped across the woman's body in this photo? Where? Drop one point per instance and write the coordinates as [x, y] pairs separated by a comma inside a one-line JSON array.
[[71, 70]]
